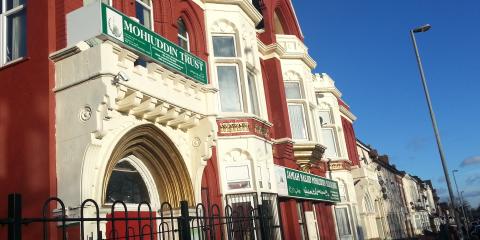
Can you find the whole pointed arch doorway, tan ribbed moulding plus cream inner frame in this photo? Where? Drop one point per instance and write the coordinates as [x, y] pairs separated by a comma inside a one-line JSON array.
[[160, 168]]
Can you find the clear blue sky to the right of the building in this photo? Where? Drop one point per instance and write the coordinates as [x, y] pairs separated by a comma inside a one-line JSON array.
[[366, 48]]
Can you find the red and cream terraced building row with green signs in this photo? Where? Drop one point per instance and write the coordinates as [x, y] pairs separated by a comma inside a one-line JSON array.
[[180, 119]]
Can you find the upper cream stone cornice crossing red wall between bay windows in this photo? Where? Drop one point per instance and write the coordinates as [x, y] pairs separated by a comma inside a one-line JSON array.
[[276, 50]]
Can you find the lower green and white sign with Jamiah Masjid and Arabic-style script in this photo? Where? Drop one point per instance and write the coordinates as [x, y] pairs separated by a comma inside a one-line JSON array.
[[293, 183]]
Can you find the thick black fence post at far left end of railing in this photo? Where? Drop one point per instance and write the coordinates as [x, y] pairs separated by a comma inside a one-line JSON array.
[[15, 216]]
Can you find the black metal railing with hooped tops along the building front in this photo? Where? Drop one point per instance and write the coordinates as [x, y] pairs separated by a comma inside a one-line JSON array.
[[124, 221]]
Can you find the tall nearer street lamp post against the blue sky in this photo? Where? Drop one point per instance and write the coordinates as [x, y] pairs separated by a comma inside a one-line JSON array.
[[425, 28]]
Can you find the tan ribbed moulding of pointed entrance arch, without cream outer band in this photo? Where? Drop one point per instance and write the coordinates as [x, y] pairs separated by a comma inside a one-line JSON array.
[[157, 153]]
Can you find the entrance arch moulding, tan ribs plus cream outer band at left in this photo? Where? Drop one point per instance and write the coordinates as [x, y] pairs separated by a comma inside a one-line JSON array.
[[147, 143]]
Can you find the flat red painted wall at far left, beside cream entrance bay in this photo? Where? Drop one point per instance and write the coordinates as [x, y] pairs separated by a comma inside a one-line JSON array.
[[27, 149]]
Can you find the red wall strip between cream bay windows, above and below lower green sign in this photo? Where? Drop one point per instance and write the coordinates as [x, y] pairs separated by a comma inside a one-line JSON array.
[[278, 115]]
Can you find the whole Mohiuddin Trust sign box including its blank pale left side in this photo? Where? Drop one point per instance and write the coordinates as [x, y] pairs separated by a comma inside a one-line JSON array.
[[100, 20]]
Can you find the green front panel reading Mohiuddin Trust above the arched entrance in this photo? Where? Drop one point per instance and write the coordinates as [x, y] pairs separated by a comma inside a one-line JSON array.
[[139, 38]]
